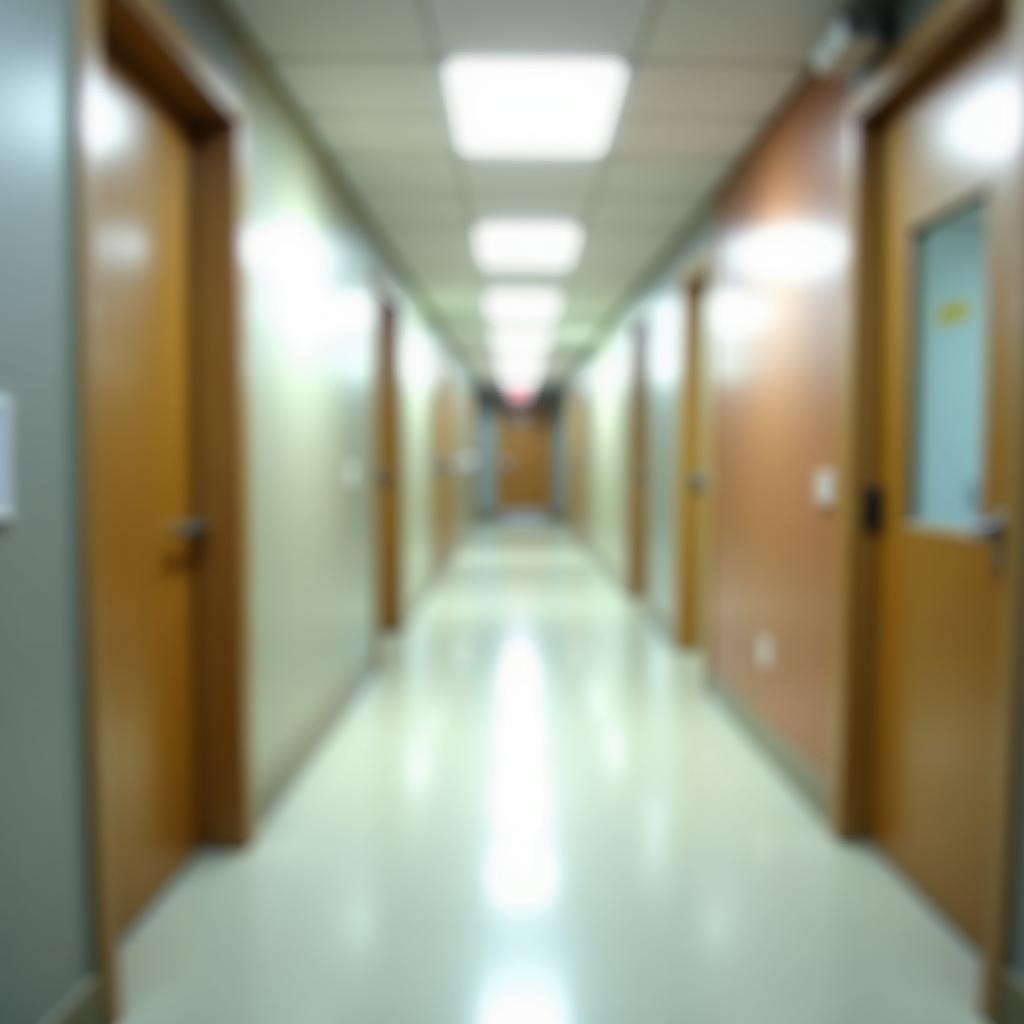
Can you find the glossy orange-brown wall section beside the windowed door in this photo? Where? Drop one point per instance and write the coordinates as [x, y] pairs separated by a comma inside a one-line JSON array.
[[776, 326]]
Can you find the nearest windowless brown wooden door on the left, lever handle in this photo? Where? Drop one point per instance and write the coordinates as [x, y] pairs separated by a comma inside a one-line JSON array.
[[141, 489]]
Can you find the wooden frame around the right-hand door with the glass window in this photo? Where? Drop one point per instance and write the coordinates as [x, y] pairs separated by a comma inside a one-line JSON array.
[[952, 26]]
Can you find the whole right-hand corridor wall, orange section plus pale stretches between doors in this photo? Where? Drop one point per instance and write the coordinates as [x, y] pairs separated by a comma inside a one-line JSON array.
[[776, 342]]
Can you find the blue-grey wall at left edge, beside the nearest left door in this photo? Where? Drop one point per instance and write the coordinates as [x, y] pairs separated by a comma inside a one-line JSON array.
[[46, 934]]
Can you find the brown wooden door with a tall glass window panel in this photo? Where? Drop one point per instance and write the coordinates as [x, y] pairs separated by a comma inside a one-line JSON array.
[[950, 380]]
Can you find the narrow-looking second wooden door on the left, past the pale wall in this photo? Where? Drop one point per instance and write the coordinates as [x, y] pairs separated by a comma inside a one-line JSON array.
[[389, 478]]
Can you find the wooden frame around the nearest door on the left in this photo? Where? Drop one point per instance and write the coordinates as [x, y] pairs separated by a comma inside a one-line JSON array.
[[146, 44]]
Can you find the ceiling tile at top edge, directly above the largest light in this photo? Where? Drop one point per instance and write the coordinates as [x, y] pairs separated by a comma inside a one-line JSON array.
[[540, 26]]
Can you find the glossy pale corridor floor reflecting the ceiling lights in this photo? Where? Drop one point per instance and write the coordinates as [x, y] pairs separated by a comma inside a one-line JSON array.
[[537, 814]]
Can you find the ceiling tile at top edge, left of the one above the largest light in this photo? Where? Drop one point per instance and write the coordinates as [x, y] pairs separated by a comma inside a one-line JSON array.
[[335, 28]]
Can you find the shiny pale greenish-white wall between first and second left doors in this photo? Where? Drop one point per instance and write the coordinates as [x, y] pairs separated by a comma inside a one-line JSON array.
[[311, 326]]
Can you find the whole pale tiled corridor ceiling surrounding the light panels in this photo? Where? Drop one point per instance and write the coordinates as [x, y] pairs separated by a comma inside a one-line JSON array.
[[707, 76]]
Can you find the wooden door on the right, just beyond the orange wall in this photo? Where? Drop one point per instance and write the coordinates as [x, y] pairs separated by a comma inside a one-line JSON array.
[[697, 481]]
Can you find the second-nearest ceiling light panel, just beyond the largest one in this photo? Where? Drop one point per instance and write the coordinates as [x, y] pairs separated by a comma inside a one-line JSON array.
[[519, 245]]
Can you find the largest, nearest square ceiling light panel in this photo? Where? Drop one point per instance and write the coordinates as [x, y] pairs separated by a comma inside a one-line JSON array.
[[534, 108]]
